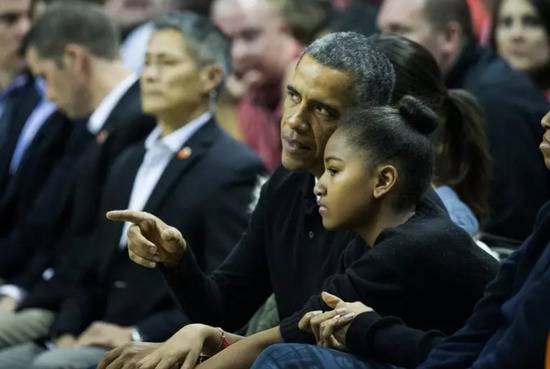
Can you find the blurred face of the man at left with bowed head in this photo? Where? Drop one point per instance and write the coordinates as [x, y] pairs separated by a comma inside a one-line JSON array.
[[63, 86]]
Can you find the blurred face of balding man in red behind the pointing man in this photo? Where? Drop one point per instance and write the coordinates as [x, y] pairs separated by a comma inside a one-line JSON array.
[[257, 36]]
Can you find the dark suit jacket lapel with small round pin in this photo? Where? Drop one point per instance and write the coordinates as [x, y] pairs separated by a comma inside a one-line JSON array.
[[198, 145]]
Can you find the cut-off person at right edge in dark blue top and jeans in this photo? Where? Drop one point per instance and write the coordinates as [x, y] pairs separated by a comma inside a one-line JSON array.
[[509, 327]]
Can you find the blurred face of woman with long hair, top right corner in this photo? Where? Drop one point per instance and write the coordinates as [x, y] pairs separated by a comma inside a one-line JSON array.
[[520, 36]]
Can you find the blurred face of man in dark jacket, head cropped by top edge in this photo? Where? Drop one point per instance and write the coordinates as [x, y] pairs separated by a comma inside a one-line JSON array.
[[408, 19]]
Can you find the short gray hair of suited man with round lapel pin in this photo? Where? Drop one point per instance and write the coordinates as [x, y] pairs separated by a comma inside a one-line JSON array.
[[203, 40]]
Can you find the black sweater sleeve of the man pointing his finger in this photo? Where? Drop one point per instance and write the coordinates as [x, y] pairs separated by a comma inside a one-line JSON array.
[[229, 296]]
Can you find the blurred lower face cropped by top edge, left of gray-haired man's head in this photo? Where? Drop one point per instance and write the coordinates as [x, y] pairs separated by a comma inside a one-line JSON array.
[[130, 13]]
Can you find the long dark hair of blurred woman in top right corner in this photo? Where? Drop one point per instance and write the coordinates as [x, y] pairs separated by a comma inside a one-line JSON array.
[[541, 76]]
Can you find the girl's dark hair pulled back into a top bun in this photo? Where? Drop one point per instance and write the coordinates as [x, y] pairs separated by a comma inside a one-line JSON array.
[[400, 136]]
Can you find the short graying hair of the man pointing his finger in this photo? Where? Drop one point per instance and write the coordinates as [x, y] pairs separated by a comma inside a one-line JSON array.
[[353, 53]]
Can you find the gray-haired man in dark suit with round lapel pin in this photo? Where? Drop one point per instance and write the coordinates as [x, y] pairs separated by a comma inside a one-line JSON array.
[[189, 172]]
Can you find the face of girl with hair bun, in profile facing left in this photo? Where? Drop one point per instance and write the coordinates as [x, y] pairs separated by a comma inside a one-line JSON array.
[[345, 190]]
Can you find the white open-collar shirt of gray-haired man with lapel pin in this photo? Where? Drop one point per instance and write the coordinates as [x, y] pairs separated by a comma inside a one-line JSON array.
[[159, 152]]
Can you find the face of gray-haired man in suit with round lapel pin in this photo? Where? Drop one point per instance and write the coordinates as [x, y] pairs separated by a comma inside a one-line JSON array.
[[171, 79]]
